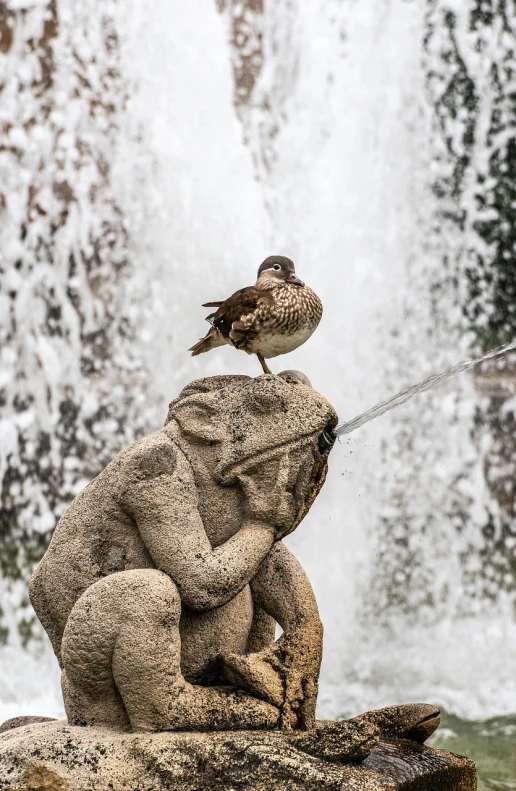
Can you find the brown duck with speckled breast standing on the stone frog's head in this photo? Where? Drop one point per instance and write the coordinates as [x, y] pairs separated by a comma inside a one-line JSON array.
[[273, 317]]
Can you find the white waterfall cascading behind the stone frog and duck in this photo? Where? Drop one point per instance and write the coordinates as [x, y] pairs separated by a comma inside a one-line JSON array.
[[243, 129]]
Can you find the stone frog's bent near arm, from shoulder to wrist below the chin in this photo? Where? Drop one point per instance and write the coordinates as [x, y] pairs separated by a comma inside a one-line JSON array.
[[161, 497]]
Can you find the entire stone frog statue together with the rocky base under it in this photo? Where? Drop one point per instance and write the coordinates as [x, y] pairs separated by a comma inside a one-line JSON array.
[[161, 592]]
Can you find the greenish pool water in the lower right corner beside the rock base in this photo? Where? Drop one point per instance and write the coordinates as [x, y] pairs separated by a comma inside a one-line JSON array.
[[490, 743]]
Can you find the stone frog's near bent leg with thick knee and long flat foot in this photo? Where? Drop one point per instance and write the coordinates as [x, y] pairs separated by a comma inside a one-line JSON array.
[[121, 654]]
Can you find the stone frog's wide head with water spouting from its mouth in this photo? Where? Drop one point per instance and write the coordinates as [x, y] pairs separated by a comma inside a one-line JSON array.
[[255, 423]]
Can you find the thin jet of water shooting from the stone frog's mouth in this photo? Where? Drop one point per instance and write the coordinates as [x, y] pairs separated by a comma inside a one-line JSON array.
[[421, 387]]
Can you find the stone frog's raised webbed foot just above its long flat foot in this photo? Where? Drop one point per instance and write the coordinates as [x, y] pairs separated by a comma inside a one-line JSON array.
[[255, 674]]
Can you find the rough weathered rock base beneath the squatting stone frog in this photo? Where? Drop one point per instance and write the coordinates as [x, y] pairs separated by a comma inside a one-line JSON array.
[[53, 756]]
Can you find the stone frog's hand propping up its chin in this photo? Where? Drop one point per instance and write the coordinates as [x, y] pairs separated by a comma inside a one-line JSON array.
[[267, 499]]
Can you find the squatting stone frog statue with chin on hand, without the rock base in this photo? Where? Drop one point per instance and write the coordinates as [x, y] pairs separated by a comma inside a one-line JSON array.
[[166, 576]]
